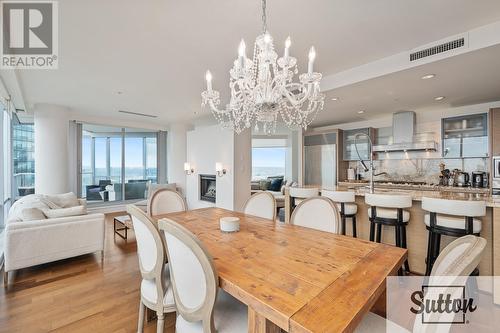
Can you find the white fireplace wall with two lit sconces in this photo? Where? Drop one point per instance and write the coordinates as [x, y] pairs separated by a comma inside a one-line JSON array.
[[207, 145]]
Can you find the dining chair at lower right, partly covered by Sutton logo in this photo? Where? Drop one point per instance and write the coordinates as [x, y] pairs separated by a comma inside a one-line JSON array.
[[455, 263]]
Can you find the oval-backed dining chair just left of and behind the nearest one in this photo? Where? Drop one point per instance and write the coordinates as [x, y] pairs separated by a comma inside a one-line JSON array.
[[156, 289]]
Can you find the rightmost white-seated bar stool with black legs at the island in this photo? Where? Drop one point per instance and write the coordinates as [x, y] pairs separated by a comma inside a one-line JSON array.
[[455, 218]]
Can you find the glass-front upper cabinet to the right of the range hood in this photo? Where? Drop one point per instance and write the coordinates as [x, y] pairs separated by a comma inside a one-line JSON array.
[[465, 136]]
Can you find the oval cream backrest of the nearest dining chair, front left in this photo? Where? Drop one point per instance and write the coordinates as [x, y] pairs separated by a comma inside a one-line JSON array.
[[192, 273]]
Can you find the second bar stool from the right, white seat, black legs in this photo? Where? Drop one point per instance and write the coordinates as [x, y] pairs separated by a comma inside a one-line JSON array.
[[388, 209]]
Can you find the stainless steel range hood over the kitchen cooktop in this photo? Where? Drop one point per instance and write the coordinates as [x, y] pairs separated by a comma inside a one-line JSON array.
[[403, 134]]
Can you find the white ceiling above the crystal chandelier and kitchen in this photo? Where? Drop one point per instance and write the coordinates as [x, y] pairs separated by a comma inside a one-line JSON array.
[[156, 52]]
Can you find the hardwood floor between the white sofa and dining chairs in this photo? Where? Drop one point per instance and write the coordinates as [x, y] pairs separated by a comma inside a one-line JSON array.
[[78, 294]]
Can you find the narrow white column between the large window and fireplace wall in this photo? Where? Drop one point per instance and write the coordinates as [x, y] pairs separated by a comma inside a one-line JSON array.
[[176, 155]]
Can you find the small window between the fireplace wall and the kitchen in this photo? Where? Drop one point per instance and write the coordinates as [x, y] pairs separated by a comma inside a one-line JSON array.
[[268, 158]]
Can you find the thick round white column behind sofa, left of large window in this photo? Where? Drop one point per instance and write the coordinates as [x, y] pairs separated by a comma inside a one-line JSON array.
[[51, 149]]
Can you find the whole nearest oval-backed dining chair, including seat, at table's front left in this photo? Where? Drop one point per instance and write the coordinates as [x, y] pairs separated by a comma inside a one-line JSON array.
[[201, 306]]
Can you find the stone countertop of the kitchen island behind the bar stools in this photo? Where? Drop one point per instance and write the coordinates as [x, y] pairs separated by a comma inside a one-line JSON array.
[[418, 194]]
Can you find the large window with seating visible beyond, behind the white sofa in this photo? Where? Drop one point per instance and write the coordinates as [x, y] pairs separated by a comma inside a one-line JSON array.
[[112, 154]]
